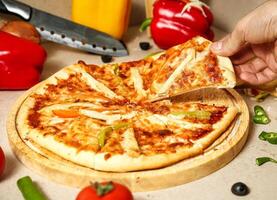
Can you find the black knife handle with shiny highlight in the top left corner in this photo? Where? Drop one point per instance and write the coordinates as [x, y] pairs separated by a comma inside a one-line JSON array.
[[16, 8]]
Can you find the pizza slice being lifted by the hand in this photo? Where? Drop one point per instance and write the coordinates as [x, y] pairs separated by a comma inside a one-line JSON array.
[[190, 66]]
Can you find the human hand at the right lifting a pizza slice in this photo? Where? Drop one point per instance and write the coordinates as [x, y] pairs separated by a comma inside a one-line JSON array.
[[252, 45]]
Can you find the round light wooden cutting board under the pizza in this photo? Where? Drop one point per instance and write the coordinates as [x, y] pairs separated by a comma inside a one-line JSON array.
[[222, 151]]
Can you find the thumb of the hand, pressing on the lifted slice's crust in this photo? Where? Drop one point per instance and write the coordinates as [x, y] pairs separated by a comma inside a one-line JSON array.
[[230, 44]]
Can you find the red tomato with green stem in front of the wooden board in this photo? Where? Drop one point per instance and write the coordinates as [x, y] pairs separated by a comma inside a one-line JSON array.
[[119, 192]]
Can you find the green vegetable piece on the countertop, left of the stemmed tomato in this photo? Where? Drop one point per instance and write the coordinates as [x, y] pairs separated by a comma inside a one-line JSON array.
[[29, 189]]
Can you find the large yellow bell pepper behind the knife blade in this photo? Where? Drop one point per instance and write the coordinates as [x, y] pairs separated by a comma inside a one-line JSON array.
[[109, 16]]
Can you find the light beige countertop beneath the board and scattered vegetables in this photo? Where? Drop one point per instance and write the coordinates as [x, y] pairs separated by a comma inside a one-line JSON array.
[[262, 180]]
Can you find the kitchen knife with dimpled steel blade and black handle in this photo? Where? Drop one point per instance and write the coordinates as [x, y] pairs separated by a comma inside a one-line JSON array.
[[65, 32]]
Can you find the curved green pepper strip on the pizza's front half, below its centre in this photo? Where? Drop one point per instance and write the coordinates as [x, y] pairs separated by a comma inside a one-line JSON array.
[[102, 135]]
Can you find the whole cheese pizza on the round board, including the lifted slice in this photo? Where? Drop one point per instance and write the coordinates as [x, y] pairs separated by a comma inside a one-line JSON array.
[[115, 117]]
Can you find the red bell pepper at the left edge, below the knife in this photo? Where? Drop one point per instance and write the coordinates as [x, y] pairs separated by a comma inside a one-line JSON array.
[[21, 62]]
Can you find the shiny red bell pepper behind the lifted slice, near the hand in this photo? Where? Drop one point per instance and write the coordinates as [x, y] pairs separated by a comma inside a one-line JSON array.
[[176, 21]]
